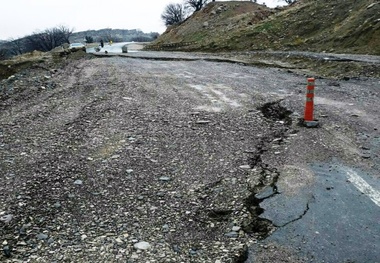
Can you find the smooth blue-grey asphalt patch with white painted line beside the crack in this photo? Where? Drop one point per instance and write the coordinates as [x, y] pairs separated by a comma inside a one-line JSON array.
[[331, 220]]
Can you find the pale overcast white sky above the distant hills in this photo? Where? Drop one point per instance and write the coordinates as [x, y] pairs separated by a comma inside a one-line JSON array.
[[19, 18]]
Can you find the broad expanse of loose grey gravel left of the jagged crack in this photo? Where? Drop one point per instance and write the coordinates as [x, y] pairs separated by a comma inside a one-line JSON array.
[[135, 160]]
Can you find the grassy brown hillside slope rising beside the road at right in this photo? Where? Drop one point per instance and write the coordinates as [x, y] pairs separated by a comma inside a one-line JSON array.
[[325, 25]]
